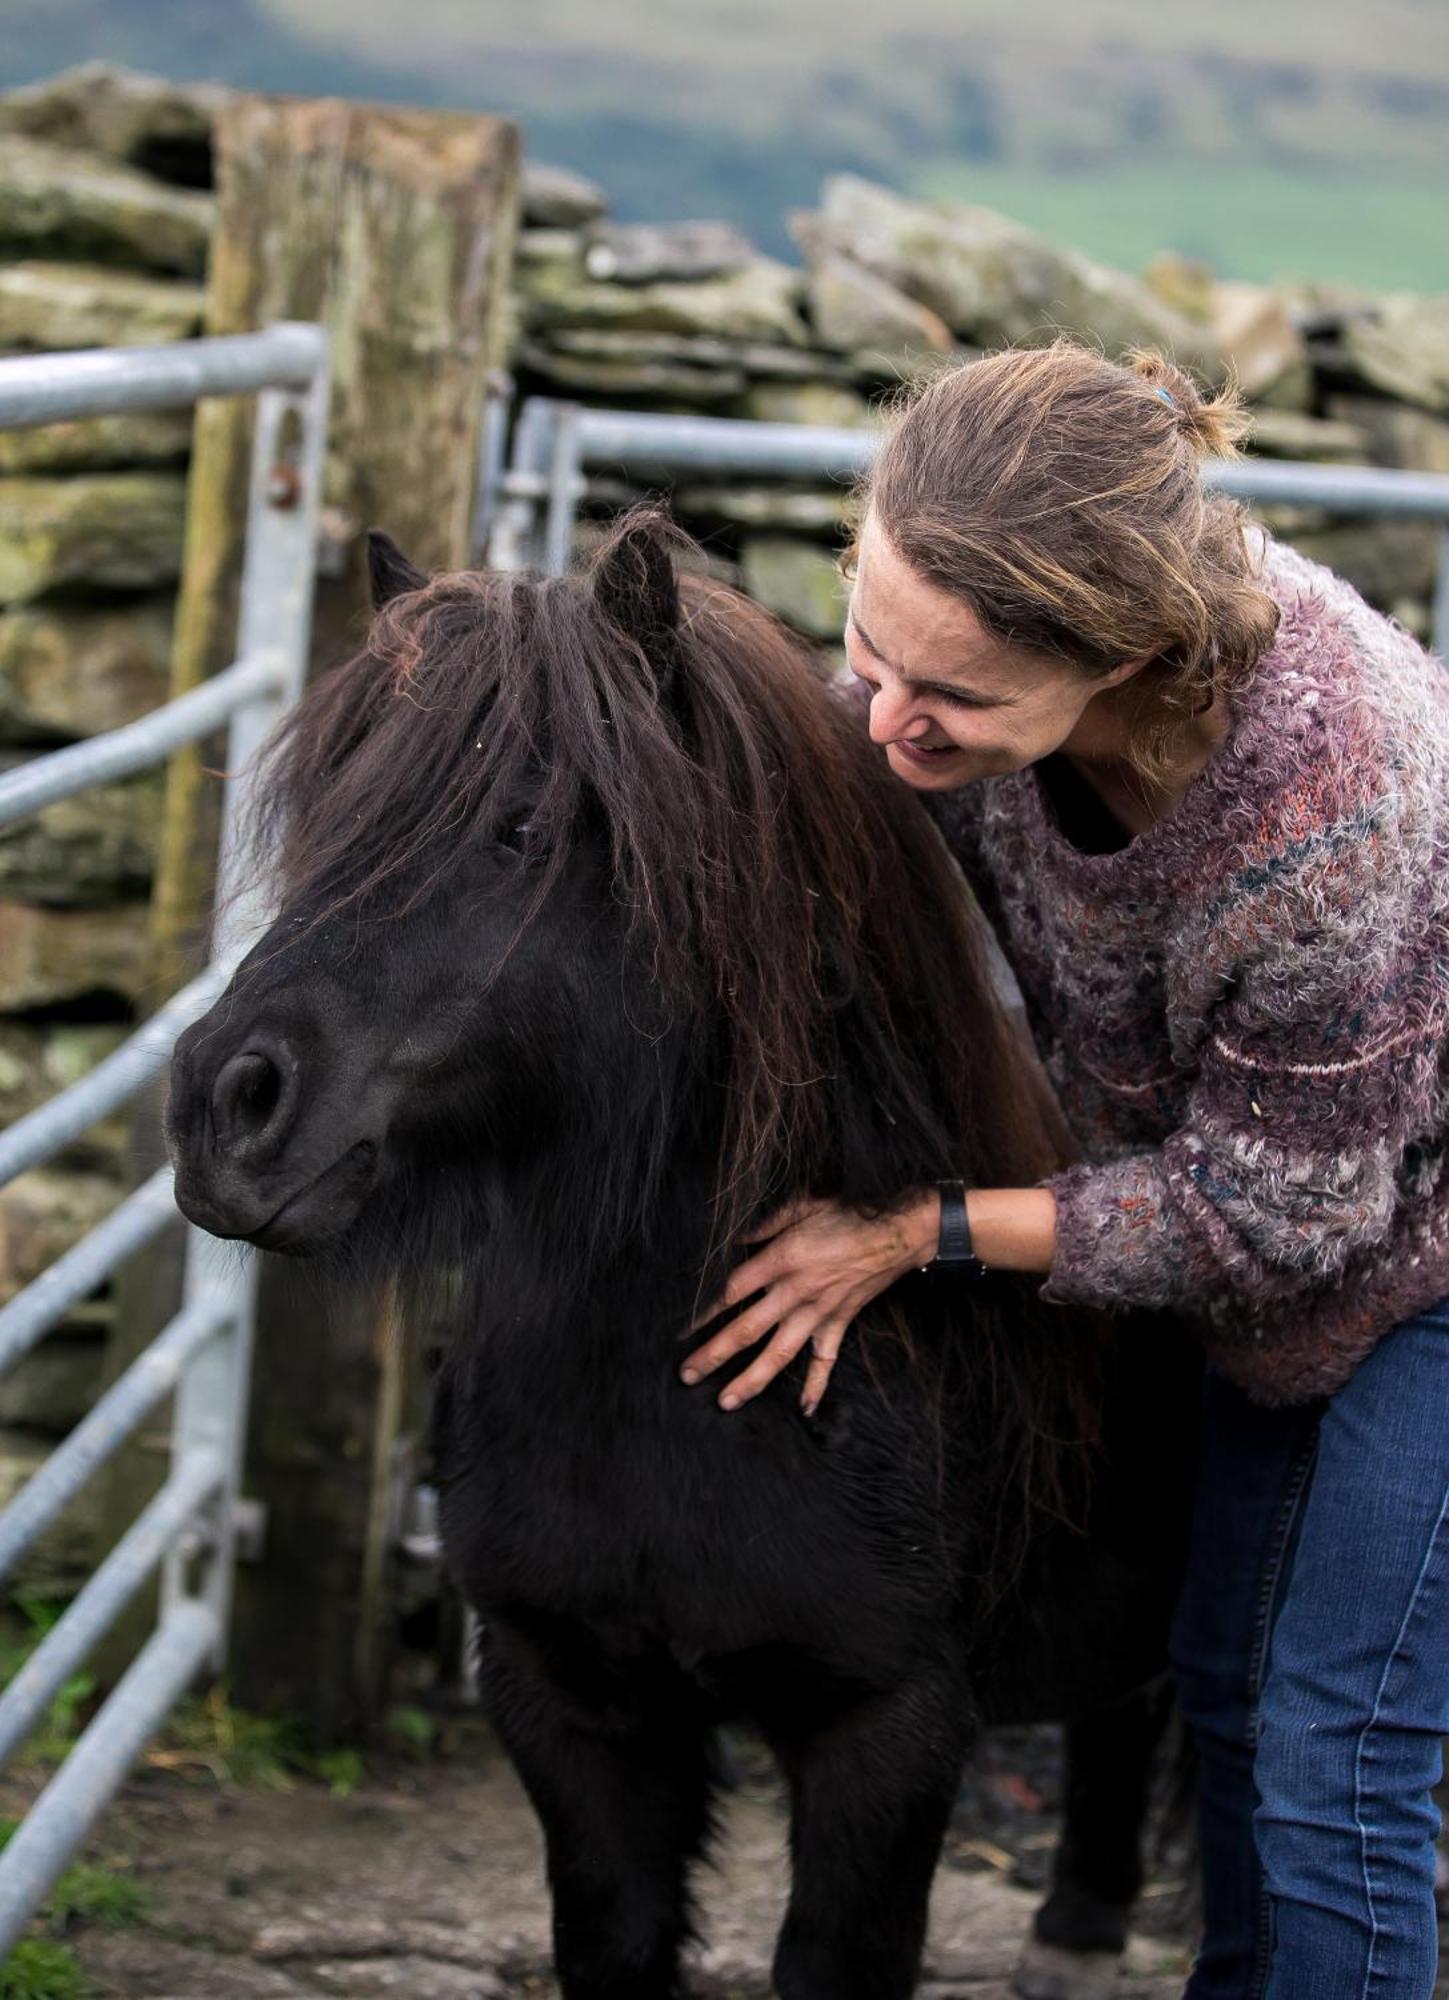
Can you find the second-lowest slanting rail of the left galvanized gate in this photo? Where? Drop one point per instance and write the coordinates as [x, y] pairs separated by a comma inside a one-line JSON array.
[[105, 1597]]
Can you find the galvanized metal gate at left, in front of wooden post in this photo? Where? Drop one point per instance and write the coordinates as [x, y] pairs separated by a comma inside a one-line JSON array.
[[189, 1531]]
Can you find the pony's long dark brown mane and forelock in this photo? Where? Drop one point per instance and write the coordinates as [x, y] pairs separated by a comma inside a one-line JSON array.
[[786, 889]]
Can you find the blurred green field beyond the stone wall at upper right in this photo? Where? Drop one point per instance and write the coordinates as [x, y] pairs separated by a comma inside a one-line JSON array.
[[1246, 223]]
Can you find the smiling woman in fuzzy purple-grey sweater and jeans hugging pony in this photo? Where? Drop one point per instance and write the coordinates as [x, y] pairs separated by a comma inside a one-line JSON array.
[[1204, 793]]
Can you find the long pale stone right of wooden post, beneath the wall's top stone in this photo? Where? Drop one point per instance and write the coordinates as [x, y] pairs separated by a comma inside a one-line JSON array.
[[758, 303]]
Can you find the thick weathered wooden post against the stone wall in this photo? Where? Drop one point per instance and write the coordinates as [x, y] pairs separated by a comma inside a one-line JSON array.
[[395, 231]]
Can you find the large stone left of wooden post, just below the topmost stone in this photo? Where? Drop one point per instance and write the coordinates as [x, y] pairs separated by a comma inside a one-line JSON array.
[[71, 205]]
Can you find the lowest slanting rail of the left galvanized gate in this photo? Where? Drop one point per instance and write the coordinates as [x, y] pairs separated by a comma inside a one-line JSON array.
[[101, 1761]]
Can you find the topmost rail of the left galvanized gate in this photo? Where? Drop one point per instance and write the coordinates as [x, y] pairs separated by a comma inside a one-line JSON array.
[[51, 389]]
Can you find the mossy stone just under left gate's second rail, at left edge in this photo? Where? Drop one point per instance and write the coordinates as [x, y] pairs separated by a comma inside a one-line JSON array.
[[97, 847]]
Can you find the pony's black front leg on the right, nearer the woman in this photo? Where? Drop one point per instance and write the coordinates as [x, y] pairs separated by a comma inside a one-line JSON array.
[[872, 1791]]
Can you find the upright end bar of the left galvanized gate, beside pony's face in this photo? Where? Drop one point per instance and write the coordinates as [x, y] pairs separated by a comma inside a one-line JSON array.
[[275, 625]]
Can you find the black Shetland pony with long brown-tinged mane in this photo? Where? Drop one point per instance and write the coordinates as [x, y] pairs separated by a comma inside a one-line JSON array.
[[605, 931]]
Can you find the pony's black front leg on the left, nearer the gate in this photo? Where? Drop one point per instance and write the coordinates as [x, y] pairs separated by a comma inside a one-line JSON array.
[[617, 1771]]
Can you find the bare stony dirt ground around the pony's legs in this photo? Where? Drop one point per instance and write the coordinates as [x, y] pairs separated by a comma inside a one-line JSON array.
[[427, 1883]]
